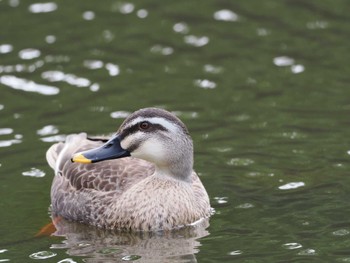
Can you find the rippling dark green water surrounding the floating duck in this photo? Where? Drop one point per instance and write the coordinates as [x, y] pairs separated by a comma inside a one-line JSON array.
[[264, 92]]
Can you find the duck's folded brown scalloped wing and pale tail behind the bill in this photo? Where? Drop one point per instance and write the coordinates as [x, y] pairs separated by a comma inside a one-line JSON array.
[[111, 175]]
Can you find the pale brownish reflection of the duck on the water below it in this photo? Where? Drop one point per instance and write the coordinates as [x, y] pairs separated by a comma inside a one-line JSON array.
[[97, 245]]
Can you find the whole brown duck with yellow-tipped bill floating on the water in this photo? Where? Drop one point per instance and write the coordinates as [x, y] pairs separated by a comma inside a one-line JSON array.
[[140, 178]]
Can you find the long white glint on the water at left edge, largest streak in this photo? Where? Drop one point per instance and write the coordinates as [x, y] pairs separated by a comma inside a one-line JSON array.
[[28, 85]]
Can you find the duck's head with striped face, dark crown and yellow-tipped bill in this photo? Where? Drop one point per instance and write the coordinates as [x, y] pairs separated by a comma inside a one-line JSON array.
[[152, 134]]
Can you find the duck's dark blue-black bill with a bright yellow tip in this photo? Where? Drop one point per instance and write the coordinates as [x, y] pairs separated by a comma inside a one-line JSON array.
[[108, 151]]
